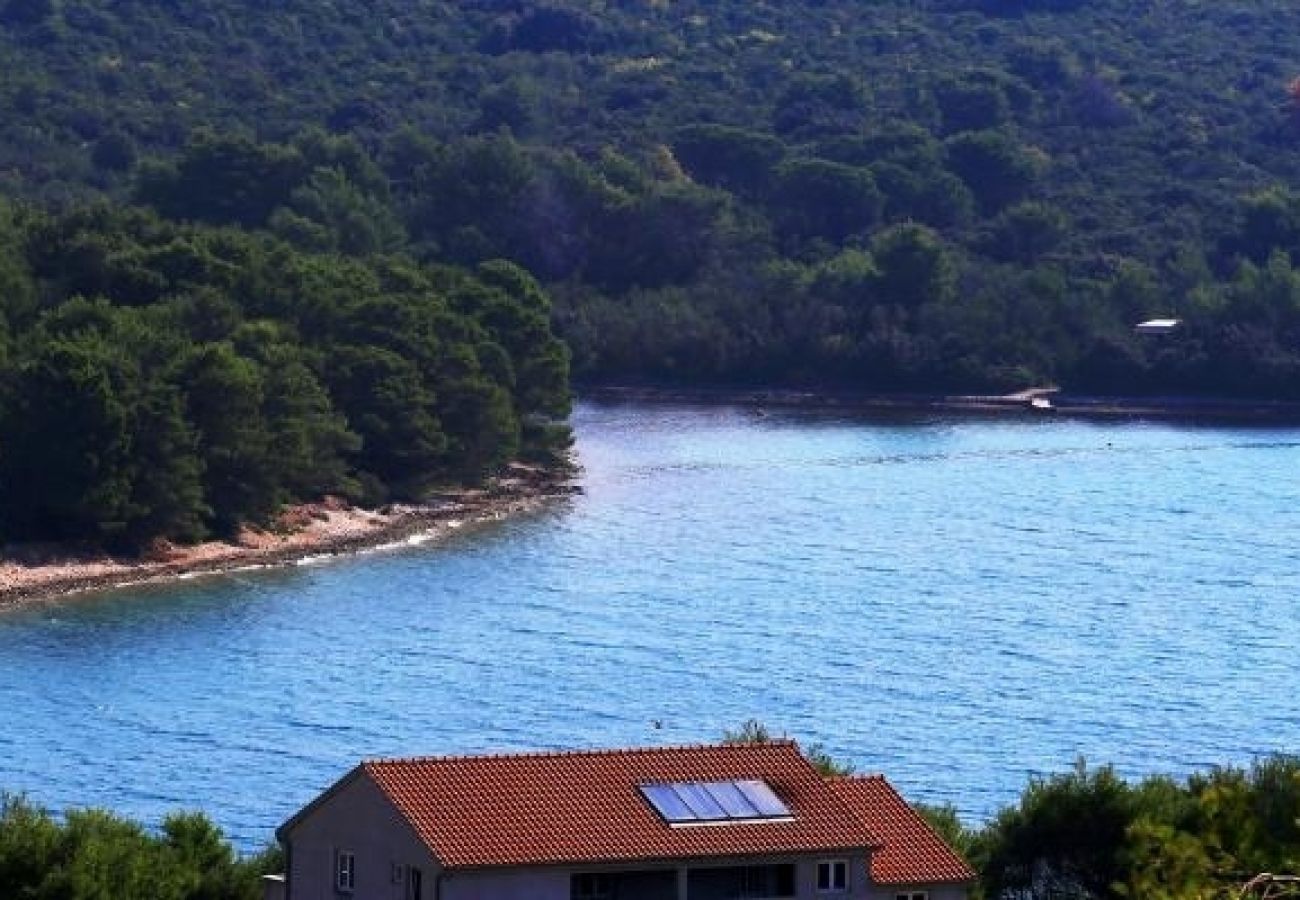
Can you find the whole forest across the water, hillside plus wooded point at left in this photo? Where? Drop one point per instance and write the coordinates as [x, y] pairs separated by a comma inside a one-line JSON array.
[[947, 194]]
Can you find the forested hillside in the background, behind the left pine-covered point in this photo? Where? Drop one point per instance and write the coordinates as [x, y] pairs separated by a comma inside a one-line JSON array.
[[970, 194]]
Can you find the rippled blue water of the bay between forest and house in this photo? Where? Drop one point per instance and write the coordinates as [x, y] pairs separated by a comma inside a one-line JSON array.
[[955, 603]]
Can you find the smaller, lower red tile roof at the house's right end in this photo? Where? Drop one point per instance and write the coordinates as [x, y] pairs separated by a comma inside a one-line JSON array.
[[913, 854]]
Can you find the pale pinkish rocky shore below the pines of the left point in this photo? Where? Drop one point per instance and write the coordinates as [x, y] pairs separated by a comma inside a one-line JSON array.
[[32, 574]]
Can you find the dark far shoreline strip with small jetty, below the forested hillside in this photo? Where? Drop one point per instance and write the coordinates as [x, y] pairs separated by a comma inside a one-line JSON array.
[[1035, 403]]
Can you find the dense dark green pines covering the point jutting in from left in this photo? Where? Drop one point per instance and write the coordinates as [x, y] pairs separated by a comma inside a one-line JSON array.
[[161, 379]]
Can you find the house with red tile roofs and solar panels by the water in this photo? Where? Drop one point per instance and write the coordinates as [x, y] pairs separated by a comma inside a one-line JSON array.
[[665, 824]]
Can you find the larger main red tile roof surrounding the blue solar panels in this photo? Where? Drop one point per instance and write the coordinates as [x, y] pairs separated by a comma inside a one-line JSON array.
[[586, 807]]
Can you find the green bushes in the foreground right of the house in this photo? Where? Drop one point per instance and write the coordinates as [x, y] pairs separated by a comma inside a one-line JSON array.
[[1091, 834]]
